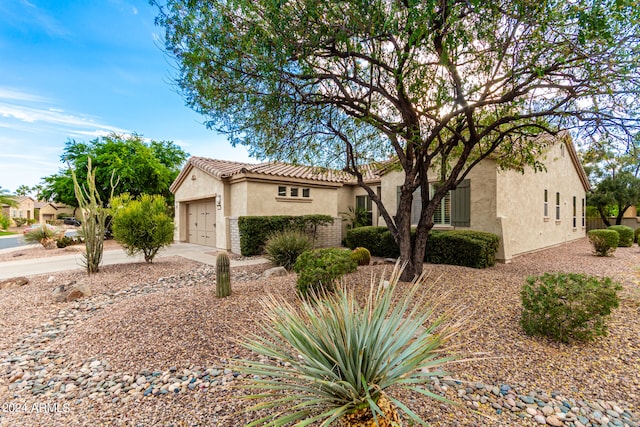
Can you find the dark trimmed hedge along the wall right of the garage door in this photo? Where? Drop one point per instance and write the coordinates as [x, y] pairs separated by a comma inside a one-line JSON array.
[[255, 230]]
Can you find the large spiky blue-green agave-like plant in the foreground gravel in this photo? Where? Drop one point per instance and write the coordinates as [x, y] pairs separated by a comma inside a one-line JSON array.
[[337, 358]]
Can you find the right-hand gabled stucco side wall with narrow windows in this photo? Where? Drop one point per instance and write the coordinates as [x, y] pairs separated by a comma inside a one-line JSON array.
[[520, 204]]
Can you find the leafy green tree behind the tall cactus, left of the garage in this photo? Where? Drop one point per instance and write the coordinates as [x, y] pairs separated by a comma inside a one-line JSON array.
[[140, 167]]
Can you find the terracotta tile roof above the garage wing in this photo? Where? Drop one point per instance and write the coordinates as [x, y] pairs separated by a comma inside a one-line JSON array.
[[226, 169]]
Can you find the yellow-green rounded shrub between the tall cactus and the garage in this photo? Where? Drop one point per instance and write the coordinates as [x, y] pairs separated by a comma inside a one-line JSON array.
[[141, 225]]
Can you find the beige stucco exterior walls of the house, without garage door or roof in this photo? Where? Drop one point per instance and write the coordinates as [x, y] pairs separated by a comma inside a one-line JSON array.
[[507, 203]]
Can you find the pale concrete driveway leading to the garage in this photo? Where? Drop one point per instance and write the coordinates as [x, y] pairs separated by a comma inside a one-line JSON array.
[[36, 266]]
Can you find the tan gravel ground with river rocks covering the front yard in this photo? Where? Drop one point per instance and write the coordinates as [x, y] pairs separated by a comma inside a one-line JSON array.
[[153, 346]]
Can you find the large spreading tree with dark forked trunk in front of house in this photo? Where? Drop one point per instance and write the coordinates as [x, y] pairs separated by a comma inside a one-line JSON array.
[[438, 85]]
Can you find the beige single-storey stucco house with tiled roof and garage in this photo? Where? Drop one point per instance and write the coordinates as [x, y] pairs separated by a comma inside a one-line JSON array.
[[529, 211]]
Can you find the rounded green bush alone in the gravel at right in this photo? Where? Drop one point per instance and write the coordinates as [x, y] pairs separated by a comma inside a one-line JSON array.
[[567, 307]]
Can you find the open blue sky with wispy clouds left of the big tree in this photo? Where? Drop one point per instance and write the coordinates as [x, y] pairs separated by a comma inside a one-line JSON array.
[[80, 69]]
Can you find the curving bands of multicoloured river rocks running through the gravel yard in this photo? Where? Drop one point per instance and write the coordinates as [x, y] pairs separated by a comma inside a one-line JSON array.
[[30, 368]]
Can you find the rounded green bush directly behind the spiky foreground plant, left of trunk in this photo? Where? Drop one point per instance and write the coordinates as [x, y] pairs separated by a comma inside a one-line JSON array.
[[320, 268]]
